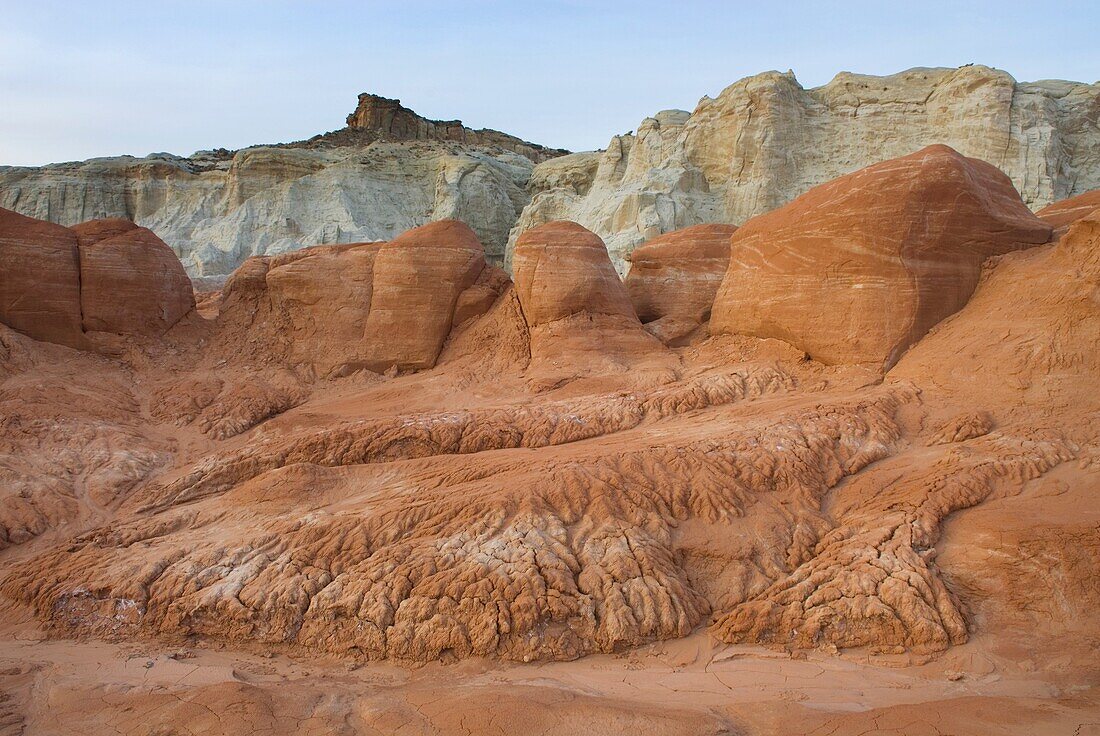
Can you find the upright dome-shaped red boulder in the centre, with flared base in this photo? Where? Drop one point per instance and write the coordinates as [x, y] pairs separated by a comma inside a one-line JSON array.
[[577, 310]]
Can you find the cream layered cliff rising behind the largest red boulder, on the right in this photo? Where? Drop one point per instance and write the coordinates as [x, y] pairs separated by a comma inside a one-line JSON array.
[[766, 139]]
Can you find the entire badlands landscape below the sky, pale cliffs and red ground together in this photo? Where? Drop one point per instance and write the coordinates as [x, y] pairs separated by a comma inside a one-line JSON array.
[[826, 462]]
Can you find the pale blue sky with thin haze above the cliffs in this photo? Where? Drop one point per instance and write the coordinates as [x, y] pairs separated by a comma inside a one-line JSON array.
[[85, 80]]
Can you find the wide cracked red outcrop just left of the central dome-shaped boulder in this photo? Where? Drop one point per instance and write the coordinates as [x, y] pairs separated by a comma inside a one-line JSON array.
[[329, 311]]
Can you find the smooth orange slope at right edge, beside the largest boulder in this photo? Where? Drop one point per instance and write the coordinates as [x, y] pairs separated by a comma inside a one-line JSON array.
[[1031, 334]]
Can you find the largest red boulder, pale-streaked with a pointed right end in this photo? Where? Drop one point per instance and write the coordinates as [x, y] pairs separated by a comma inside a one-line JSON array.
[[860, 269]]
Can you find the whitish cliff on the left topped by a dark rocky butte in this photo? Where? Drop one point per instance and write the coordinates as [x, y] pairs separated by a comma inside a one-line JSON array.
[[388, 172]]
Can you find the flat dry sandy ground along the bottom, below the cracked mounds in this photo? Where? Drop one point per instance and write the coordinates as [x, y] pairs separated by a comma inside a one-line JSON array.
[[692, 686]]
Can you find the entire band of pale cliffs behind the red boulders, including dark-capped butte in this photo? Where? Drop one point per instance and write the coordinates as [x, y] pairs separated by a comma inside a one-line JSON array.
[[757, 146]]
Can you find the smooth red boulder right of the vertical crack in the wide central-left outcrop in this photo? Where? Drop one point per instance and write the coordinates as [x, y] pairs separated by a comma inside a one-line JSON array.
[[419, 279]]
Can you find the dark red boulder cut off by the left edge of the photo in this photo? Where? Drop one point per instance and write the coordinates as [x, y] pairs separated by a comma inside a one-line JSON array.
[[40, 280]]
